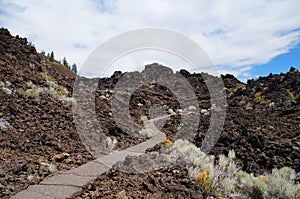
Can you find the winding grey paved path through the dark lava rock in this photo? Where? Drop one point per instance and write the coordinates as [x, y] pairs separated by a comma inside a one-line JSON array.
[[67, 183]]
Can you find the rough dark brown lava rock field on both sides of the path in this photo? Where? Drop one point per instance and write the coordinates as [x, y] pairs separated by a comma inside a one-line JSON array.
[[262, 126]]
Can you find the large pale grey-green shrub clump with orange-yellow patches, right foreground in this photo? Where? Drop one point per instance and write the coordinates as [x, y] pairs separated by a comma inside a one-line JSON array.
[[225, 178]]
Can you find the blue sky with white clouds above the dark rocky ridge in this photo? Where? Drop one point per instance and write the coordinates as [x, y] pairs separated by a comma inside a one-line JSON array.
[[249, 38]]
